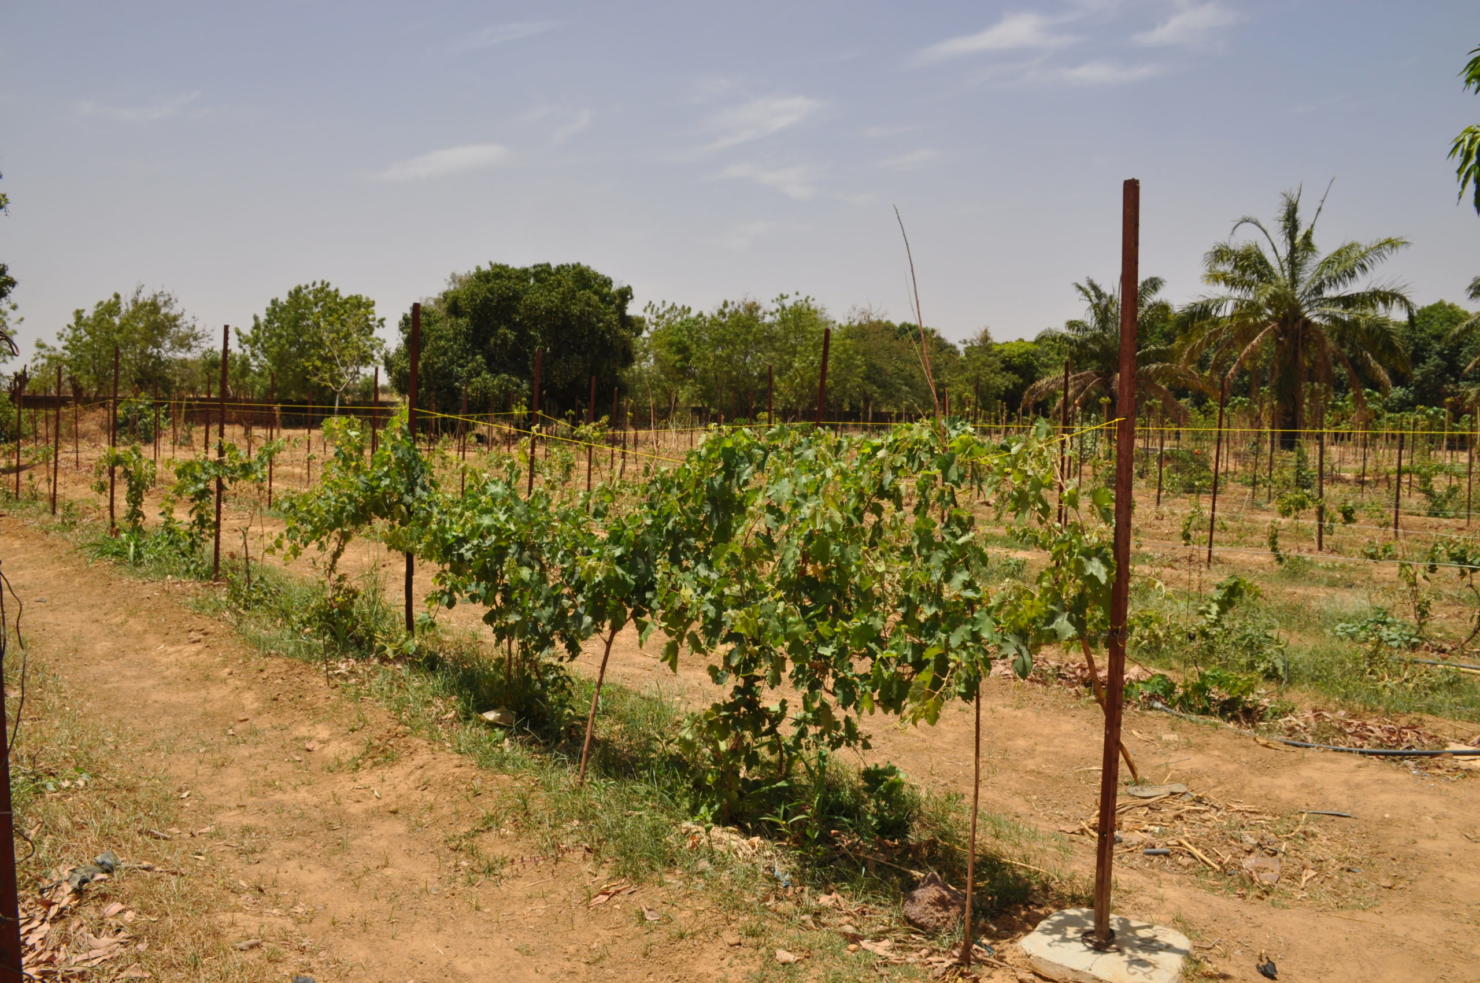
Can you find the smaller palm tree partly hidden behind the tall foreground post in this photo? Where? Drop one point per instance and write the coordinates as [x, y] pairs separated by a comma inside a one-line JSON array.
[[1094, 350]]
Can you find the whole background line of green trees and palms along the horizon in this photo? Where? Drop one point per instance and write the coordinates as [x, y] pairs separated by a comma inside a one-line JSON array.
[[1281, 316]]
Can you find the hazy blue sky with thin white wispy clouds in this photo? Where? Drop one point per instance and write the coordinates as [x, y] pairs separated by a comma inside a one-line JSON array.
[[701, 152]]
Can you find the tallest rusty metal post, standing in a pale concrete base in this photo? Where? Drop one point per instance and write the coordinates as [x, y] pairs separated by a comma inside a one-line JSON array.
[[1121, 590]]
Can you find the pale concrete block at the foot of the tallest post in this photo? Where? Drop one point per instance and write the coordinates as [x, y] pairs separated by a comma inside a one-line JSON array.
[[1142, 954]]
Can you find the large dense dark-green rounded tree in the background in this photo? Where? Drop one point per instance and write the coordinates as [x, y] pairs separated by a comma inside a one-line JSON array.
[[480, 337]]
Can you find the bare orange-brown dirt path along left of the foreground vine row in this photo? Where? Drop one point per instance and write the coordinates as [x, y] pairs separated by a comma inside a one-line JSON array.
[[328, 827]]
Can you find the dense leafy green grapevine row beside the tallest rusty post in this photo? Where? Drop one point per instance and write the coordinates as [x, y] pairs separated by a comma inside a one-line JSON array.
[[818, 578]]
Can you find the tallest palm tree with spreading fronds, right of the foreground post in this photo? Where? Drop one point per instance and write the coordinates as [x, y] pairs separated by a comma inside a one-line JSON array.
[[1305, 312]]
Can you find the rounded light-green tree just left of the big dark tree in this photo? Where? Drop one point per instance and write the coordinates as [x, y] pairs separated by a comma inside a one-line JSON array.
[[314, 343]]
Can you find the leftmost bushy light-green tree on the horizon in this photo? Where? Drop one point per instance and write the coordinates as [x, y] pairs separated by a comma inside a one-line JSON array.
[[150, 331]]
